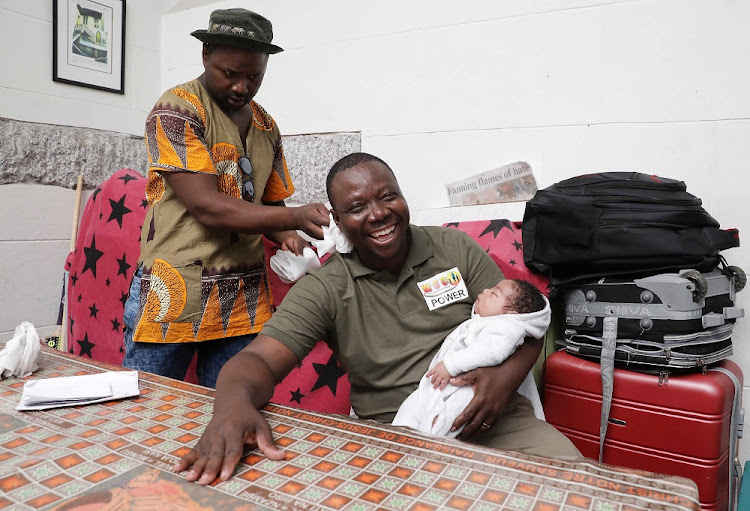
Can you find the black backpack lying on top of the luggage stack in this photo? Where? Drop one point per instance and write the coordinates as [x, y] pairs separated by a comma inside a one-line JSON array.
[[619, 224]]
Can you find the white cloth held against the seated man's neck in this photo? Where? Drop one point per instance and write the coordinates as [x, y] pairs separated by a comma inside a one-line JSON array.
[[291, 267]]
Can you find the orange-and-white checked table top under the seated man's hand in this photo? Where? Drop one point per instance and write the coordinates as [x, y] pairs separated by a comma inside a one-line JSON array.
[[118, 454]]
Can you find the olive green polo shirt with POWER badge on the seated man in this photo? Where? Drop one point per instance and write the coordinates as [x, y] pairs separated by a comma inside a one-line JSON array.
[[378, 324]]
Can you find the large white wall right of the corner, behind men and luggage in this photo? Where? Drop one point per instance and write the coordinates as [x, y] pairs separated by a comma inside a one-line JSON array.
[[443, 91]]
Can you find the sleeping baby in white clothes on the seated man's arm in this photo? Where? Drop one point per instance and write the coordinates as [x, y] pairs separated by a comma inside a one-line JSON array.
[[501, 318]]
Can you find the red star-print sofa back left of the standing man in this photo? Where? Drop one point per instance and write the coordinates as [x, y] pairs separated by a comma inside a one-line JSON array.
[[102, 265]]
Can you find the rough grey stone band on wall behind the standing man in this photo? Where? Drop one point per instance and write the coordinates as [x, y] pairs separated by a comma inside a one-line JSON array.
[[35, 153]]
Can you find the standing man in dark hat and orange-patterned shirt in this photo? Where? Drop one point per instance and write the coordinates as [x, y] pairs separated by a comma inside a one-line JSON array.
[[217, 181]]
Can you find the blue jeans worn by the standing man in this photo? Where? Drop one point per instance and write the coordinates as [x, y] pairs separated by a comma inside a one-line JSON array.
[[173, 359]]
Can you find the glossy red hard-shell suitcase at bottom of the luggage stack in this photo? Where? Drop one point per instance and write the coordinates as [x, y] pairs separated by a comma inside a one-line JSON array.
[[687, 425]]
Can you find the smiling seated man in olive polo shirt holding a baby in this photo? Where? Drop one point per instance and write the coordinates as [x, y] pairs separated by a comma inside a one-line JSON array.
[[385, 309]]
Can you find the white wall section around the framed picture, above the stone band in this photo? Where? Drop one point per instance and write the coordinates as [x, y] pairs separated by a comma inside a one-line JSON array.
[[28, 93]]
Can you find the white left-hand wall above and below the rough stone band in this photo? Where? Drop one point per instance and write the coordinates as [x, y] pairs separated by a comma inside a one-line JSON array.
[[37, 220]]
